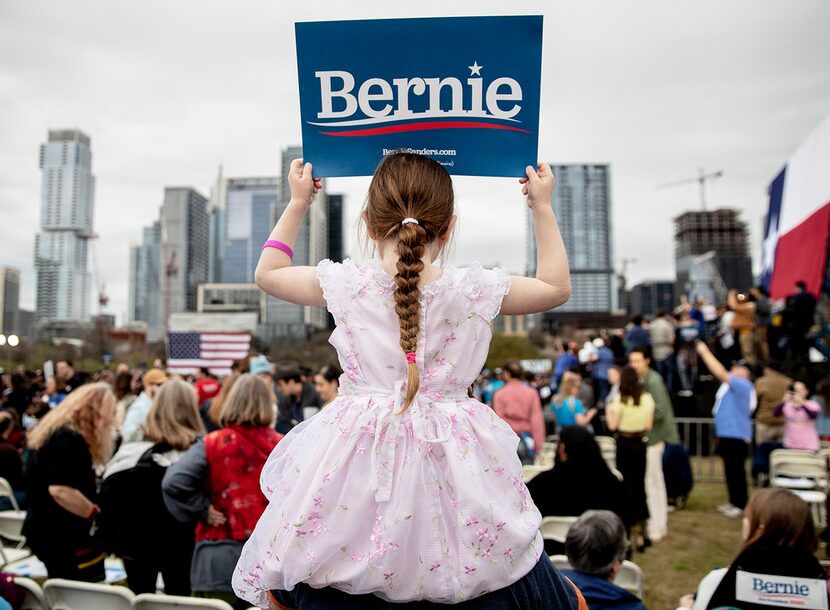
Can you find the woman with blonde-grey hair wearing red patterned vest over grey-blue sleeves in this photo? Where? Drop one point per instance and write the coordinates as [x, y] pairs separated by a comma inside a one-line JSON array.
[[216, 485]]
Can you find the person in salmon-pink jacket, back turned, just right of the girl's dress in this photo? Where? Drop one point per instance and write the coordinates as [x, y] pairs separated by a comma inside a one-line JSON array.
[[519, 405]]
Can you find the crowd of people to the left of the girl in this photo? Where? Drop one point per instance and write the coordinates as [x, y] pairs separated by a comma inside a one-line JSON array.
[[166, 468]]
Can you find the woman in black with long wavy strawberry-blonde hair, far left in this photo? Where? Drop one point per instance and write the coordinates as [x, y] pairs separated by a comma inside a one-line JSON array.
[[64, 448]]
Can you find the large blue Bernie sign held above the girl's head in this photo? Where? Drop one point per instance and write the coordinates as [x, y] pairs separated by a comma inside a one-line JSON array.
[[463, 90]]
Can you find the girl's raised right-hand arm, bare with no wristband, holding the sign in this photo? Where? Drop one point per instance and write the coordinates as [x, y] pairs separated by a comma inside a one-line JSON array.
[[552, 285]]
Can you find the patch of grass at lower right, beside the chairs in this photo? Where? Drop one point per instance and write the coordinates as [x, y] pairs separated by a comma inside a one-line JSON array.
[[699, 540]]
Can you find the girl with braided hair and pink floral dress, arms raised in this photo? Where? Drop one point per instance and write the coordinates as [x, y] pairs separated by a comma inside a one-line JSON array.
[[404, 488]]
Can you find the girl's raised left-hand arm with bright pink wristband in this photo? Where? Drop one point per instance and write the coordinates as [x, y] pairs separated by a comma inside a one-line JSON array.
[[274, 273]]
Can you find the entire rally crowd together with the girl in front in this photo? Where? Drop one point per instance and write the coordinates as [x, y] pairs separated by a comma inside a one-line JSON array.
[[399, 479]]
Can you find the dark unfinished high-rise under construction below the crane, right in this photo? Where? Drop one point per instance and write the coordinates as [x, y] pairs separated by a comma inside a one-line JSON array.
[[723, 237]]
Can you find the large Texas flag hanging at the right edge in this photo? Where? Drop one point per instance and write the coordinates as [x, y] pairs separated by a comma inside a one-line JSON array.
[[798, 221]]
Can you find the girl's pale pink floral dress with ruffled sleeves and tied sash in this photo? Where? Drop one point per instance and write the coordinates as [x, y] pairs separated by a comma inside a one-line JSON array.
[[428, 504]]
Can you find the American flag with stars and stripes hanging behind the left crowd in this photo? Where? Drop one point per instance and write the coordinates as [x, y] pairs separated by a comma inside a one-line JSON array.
[[187, 351]]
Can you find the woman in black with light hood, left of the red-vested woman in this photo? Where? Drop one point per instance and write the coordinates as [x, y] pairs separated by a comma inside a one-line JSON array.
[[135, 524]]
